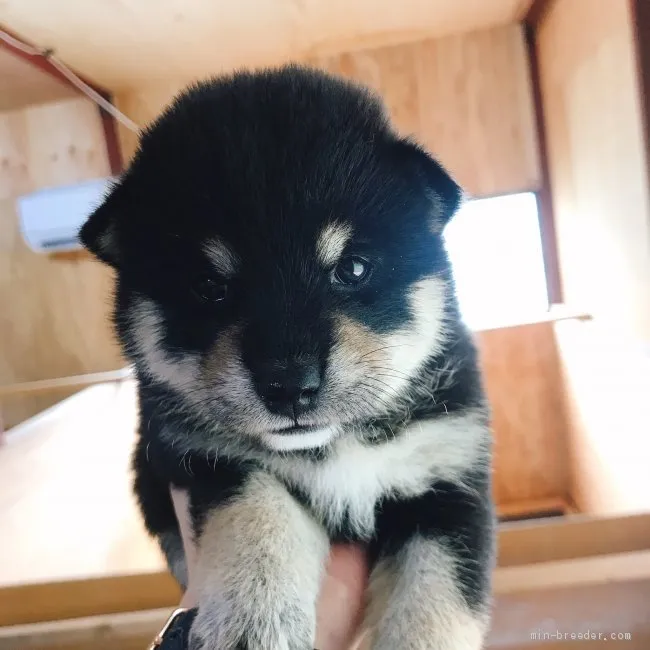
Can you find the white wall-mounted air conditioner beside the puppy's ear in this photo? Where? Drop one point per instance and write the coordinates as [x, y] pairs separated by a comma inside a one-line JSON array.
[[50, 219]]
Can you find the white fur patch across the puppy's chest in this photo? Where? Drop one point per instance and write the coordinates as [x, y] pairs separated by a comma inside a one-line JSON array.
[[351, 481]]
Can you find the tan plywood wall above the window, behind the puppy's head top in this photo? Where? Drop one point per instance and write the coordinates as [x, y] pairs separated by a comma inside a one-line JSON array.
[[467, 98]]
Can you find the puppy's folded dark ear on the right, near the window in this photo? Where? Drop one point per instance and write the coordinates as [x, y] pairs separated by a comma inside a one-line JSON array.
[[445, 194]]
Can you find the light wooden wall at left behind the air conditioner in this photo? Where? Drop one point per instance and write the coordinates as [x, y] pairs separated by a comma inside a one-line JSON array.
[[53, 320]]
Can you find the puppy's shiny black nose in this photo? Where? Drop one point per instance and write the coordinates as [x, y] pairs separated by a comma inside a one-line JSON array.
[[291, 388]]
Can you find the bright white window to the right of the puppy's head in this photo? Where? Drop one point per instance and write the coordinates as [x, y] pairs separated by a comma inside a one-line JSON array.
[[496, 251]]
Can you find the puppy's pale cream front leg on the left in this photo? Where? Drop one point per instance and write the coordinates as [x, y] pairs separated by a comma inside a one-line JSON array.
[[261, 559]]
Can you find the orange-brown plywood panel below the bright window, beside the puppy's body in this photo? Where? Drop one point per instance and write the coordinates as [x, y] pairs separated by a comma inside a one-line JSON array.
[[522, 381]]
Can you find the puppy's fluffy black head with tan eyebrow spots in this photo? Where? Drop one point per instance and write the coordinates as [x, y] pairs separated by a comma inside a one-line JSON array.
[[279, 256]]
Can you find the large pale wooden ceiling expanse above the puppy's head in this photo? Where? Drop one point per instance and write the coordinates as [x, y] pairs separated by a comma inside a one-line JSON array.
[[129, 43]]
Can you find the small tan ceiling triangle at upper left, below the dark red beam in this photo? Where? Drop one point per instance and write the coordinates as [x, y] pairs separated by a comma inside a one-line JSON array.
[[22, 84]]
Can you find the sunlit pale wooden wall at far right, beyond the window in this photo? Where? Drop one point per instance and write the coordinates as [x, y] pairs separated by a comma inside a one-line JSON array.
[[599, 177]]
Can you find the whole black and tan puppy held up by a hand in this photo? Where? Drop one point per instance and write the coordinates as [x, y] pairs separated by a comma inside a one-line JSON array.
[[285, 296]]
